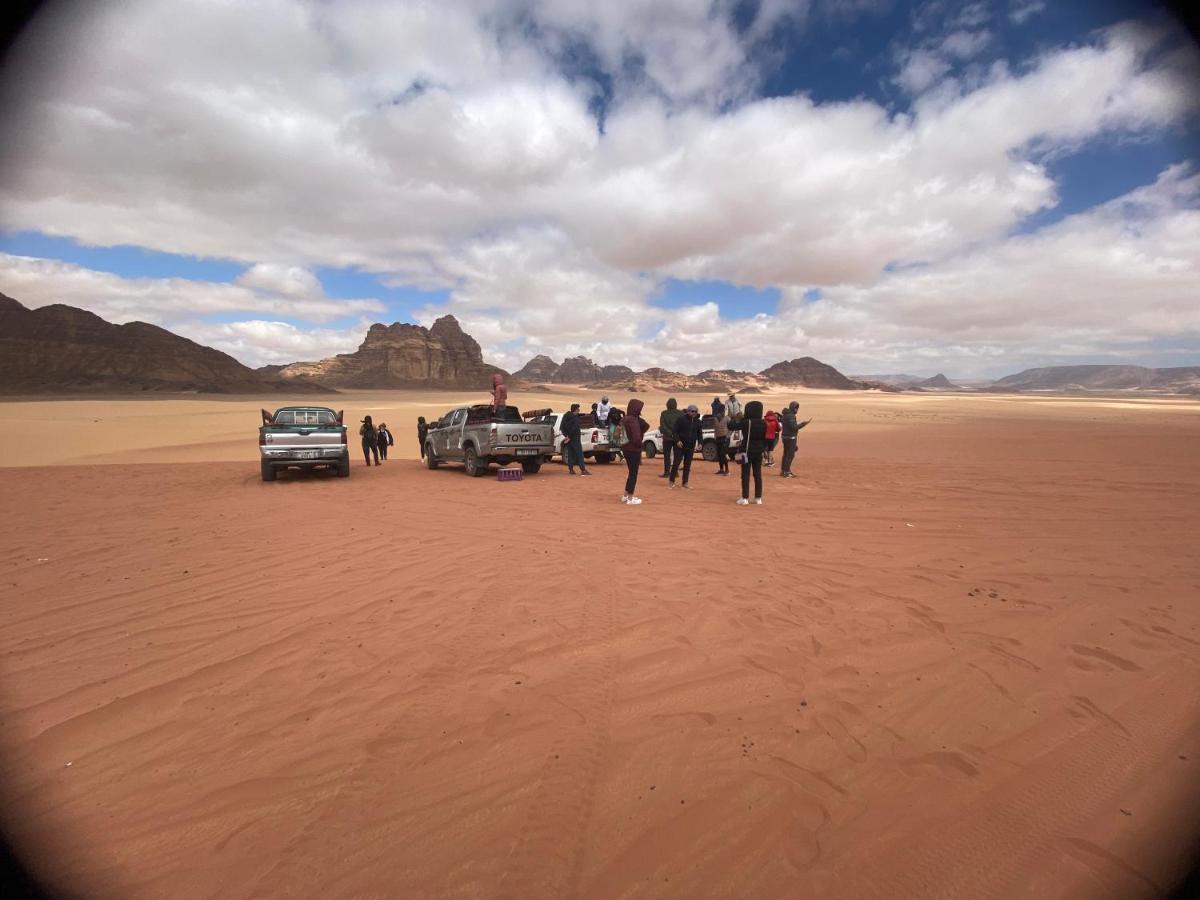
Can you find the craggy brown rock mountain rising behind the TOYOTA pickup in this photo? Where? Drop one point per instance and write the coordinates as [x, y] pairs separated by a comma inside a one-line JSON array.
[[403, 356]]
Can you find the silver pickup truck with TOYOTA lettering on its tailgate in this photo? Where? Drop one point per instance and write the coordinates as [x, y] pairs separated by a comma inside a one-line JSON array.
[[477, 437]]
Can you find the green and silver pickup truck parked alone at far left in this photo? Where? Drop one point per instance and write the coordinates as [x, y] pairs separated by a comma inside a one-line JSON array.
[[302, 437]]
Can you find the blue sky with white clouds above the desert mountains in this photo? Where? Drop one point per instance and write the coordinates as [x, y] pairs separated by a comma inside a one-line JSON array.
[[887, 187]]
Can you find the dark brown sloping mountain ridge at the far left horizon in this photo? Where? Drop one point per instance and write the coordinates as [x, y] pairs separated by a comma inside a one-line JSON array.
[[58, 350]]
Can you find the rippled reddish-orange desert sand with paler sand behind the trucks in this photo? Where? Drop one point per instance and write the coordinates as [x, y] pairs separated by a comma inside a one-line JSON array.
[[957, 658]]
